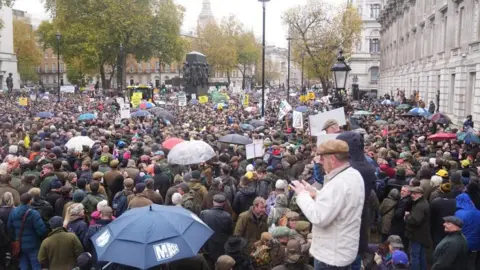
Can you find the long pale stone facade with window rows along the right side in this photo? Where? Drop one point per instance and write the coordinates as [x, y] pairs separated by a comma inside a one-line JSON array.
[[433, 46]]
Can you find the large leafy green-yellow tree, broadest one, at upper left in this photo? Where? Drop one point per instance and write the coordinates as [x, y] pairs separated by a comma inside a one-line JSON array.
[[94, 31]]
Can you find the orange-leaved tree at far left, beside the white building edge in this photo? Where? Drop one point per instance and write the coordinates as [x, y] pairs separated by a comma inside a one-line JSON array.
[[25, 47]]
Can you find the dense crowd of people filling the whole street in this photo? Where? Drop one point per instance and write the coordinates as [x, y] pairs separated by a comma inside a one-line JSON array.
[[379, 196]]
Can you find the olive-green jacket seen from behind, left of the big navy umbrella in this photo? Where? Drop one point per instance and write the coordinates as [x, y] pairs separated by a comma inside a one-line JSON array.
[[60, 250]]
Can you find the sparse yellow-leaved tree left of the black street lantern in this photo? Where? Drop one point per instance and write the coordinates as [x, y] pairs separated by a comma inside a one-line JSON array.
[[319, 30]]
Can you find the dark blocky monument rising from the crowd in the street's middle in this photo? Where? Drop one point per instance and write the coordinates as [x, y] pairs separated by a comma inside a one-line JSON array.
[[195, 74]]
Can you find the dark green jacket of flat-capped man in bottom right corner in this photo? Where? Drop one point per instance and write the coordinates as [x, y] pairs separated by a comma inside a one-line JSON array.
[[451, 253]]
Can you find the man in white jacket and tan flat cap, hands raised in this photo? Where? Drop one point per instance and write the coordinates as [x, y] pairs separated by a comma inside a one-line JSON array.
[[336, 210]]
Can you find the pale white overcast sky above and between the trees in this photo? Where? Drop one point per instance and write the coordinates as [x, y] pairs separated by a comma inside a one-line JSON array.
[[248, 11]]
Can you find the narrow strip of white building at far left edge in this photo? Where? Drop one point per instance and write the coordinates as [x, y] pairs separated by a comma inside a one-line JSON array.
[[8, 59]]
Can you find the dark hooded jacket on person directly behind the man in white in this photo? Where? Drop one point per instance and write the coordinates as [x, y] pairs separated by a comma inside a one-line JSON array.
[[360, 163]]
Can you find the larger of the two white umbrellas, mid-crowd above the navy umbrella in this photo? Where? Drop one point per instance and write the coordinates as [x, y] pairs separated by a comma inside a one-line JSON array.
[[190, 152]]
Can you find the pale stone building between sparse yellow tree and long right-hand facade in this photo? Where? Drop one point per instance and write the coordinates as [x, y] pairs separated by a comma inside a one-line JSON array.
[[365, 60]]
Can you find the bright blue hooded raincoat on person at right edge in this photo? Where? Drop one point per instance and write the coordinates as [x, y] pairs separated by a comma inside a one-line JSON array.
[[470, 216]]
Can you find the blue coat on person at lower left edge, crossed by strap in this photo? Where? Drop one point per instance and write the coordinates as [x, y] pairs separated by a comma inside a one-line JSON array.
[[33, 231]]
